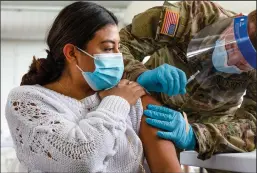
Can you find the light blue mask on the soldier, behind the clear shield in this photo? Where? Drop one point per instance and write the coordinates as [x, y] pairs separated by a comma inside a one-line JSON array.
[[220, 59]]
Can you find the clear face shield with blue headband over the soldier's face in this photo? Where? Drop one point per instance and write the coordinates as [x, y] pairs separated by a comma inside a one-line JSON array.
[[226, 45]]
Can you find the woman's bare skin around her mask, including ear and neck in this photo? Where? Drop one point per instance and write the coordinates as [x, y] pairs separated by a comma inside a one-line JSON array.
[[105, 40]]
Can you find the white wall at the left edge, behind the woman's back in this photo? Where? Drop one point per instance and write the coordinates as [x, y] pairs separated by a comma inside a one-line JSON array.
[[16, 57]]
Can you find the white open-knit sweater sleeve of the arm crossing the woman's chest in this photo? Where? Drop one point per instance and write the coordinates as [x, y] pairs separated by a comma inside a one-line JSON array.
[[45, 140]]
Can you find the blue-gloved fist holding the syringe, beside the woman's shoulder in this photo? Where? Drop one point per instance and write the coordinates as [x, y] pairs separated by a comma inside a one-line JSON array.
[[165, 78]]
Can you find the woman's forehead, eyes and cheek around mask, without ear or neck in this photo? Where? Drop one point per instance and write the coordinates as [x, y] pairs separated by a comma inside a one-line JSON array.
[[106, 40]]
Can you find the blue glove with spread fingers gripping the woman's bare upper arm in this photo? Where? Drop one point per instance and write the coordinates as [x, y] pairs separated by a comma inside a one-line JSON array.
[[174, 124]]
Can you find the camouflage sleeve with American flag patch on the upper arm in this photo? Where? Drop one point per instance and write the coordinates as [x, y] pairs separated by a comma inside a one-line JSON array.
[[145, 35]]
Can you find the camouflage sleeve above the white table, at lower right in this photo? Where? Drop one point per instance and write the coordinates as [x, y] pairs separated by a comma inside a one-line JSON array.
[[237, 135]]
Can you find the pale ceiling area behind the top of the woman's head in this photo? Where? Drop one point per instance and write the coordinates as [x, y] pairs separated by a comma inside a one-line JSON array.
[[31, 20]]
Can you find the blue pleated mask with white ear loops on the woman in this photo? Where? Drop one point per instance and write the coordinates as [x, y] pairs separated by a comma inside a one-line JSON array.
[[109, 68]]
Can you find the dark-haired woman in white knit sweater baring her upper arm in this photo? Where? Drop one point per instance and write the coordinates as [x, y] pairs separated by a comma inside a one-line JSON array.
[[58, 119]]
